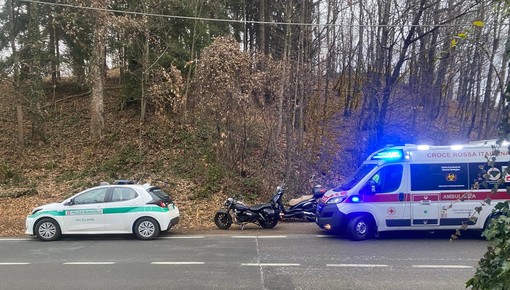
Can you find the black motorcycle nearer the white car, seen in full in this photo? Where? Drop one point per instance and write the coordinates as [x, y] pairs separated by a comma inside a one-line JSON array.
[[266, 215]]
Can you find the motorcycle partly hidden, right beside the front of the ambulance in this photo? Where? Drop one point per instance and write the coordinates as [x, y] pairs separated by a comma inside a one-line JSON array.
[[303, 207]]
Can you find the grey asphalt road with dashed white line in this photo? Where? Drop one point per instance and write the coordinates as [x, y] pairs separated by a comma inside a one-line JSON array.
[[291, 256]]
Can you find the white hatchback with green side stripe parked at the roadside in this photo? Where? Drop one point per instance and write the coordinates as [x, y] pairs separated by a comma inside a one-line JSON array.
[[119, 208]]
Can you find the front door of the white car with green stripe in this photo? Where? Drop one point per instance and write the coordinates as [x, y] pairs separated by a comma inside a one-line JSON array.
[[85, 212]]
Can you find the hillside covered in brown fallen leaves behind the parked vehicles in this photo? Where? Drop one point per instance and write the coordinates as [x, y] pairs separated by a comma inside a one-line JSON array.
[[175, 155]]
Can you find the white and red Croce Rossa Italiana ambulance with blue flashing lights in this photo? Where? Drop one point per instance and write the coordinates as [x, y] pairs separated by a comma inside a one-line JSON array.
[[418, 187]]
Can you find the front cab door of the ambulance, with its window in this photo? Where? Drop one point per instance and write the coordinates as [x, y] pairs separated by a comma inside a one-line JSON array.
[[388, 196]]
